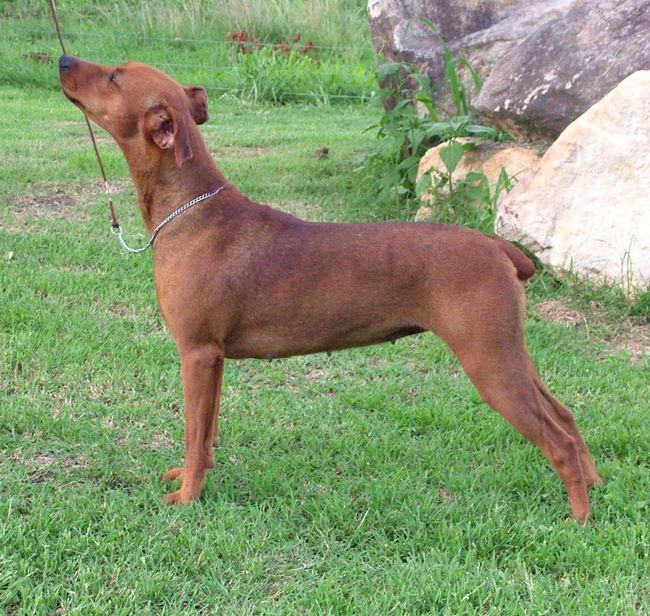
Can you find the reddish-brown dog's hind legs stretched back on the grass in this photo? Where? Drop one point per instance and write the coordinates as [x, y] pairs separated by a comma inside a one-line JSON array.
[[486, 335]]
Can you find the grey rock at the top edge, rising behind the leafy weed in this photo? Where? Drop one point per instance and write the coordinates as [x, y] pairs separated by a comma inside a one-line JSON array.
[[481, 32]]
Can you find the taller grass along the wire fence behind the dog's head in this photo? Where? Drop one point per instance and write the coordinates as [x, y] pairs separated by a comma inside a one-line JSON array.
[[189, 41]]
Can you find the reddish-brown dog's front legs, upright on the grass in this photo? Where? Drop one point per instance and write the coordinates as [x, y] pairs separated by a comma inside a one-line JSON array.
[[202, 372]]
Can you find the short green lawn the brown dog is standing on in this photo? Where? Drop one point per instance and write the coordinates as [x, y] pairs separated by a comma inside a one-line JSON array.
[[371, 482]]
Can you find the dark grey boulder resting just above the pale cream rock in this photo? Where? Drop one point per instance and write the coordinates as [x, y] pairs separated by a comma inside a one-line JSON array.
[[539, 87]]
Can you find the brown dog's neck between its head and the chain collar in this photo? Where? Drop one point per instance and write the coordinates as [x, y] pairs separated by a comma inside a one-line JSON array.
[[162, 186]]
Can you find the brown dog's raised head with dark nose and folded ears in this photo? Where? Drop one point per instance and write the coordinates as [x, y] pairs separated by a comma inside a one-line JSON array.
[[135, 101]]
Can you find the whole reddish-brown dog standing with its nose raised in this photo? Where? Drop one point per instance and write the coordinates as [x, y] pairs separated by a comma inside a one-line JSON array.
[[238, 279]]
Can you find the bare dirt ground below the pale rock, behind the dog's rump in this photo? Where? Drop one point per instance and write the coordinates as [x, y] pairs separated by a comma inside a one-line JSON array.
[[629, 335]]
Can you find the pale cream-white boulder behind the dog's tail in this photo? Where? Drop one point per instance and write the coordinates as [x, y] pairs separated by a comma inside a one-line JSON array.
[[587, 206]]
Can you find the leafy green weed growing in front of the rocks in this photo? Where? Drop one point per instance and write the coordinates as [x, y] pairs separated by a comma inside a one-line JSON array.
[[412, 123]]
